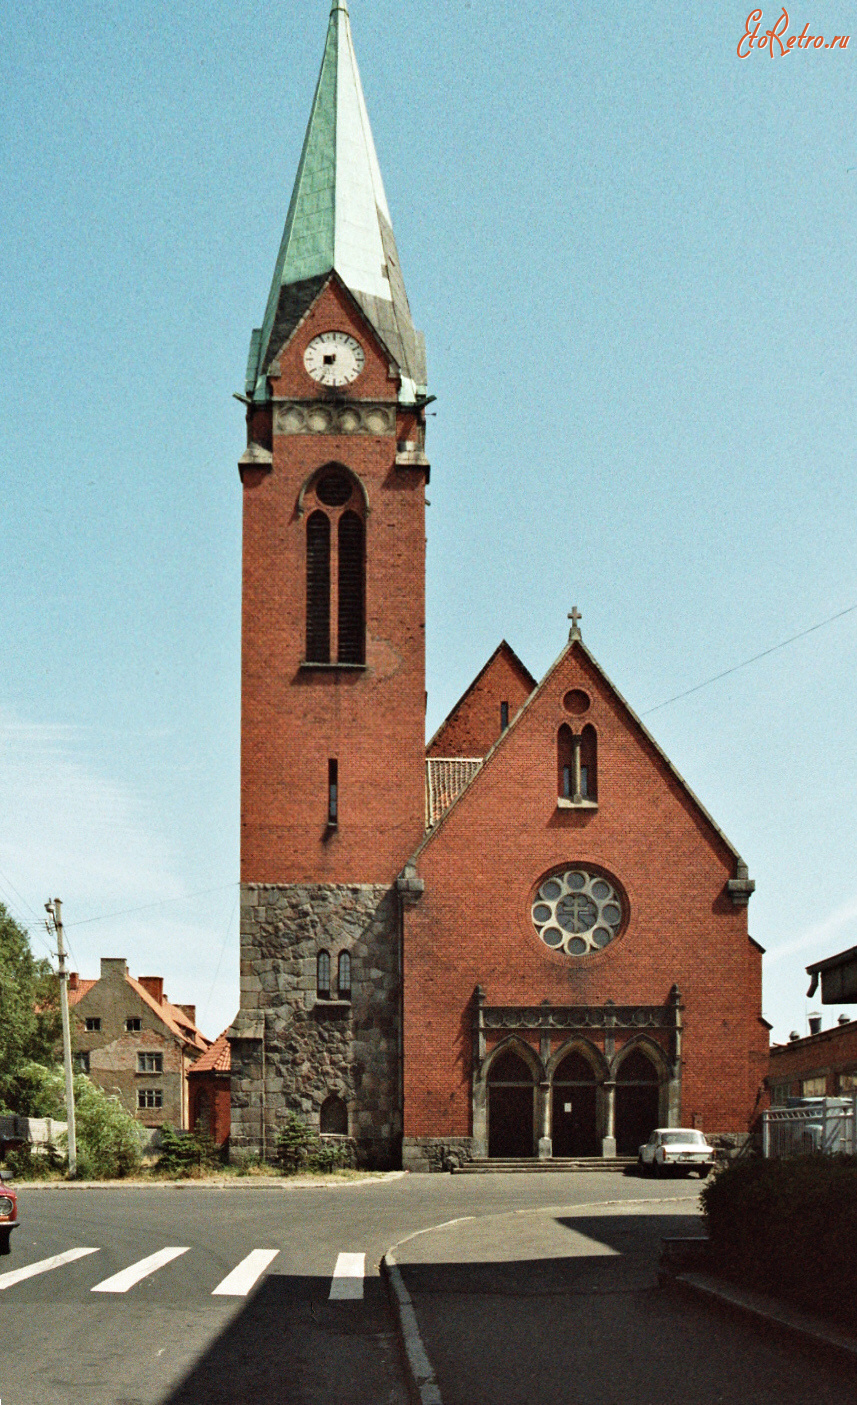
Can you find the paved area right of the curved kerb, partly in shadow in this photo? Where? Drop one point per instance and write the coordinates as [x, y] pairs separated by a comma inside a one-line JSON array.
[[564, 1306]]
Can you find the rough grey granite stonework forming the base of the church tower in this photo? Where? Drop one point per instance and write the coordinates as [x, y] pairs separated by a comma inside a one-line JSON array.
[[315, 1049]]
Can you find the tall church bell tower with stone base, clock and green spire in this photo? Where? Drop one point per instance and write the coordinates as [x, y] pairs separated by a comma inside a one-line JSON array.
[[334, 644]]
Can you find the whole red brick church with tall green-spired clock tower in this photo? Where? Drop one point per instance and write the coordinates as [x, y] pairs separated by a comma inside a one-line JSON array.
[[526, 939]]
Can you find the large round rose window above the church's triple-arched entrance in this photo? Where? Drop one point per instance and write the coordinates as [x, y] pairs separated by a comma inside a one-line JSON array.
[[578, 913]]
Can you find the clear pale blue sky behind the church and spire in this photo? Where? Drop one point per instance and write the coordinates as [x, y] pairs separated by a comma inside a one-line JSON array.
[[633, 255]]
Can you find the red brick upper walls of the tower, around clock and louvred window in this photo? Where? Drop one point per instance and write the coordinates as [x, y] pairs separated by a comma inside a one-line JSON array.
[[296, 720]]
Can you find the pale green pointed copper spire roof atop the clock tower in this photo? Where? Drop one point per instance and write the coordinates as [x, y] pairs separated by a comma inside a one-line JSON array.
[[339, 221]]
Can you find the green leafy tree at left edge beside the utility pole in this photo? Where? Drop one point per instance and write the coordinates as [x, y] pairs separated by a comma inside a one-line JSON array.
[[30, 1022]]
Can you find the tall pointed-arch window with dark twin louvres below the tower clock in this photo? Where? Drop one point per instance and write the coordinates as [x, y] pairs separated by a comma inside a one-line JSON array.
[[336, 570]]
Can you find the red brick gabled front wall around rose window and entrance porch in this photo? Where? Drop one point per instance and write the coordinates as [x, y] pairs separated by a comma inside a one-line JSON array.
[[474, 922]]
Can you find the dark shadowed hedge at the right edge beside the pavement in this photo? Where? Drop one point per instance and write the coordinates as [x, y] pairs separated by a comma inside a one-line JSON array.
[[789, 1227]]
